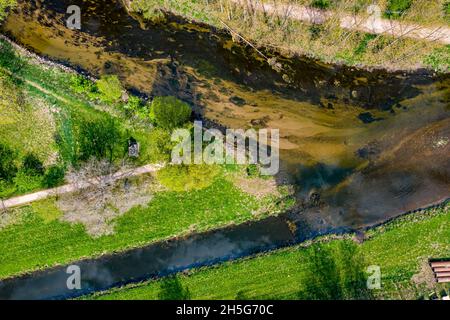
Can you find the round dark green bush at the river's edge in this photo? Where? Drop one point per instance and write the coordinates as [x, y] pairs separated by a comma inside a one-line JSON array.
[[169, 112]]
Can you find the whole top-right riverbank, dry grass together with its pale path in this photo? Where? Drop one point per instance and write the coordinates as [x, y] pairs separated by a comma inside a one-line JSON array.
[[344, 33]]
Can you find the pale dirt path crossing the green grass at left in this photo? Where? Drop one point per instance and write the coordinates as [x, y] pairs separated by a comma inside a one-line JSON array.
[[36, 196]]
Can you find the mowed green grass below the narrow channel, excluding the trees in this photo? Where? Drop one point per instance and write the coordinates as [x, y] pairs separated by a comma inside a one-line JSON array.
[[400, 248]]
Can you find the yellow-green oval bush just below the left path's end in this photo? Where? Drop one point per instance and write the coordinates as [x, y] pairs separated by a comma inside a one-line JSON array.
[[186, 178]]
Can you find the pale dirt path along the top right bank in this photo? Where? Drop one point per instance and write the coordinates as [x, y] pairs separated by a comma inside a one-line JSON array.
[[371, 24]]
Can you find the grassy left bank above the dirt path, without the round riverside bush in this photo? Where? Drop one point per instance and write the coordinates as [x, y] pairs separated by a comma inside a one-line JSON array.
[[45, 119]]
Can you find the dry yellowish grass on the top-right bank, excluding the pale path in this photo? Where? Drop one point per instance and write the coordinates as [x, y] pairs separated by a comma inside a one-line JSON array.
[[327, 41]]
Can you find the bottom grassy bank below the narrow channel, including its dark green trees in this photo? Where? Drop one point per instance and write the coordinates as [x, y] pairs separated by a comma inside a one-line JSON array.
[[331, 269]]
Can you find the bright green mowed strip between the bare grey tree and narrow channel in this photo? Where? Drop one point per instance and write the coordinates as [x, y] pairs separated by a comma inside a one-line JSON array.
[[38, 239]]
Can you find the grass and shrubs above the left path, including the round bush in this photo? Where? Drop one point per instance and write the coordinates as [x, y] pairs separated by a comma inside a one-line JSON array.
[[63, 120]]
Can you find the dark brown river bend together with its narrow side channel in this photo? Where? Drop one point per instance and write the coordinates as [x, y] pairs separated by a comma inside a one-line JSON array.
[[361, 147]]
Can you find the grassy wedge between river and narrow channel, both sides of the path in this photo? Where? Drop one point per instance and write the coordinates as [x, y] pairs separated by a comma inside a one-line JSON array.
[[58, 231]]
